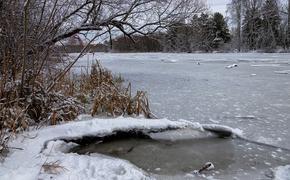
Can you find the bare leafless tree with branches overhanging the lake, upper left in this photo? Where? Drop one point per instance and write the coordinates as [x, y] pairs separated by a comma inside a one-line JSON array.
[[42, 24]]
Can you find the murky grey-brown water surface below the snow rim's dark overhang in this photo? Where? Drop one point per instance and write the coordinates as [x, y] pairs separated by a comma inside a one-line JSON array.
[[175, 158]]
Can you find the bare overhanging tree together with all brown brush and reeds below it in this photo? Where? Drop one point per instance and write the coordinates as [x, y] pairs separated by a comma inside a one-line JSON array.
[[35, 91]]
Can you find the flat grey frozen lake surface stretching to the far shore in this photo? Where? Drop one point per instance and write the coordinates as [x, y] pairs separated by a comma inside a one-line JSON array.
[[254, 96]]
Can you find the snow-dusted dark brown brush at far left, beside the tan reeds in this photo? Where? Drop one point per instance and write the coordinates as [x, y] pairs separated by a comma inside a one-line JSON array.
[[31, 107]]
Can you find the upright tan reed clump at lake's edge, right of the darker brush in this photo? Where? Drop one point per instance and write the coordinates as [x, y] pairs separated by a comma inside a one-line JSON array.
[[111, 96]]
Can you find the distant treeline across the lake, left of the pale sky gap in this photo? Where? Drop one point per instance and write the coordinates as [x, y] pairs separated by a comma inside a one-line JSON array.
[[204, 32]]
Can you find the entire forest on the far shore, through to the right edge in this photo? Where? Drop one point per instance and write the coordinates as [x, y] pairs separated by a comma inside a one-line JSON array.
[[250, 25]]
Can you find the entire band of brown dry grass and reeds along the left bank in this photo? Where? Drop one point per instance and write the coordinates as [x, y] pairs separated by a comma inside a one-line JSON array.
[[98, 90]]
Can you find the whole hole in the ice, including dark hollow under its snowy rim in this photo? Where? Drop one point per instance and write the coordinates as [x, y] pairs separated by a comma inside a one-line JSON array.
[[178, 152]]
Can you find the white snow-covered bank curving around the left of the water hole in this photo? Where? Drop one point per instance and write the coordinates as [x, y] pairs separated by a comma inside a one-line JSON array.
[[28, 163]]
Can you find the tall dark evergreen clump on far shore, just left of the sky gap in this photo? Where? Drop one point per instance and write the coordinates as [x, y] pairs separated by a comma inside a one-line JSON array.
[[205, 32]]
